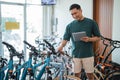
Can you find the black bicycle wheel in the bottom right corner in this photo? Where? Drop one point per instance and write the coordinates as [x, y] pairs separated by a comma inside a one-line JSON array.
[[114, 75]]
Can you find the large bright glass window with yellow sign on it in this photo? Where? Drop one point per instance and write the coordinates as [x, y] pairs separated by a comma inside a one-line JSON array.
[[29, 21]]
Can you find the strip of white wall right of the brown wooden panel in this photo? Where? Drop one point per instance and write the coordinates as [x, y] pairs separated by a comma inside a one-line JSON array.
[[116, 29]]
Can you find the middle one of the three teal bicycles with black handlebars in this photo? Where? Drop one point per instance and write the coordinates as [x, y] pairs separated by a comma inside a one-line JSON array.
[[28, 66]]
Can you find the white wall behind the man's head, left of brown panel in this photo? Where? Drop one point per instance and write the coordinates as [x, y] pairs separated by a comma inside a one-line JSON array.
[[64, 16]]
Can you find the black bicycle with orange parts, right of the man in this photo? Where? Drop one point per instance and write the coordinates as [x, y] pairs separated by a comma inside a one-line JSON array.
[[106, 70]]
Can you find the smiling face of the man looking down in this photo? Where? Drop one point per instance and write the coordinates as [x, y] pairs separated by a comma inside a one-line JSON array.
[[76, 13]]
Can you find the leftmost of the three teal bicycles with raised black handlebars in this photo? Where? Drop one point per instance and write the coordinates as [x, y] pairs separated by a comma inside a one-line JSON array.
[[10, 66]]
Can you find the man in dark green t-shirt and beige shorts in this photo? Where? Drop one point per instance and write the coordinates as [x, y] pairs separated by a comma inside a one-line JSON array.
[[82, 50]]
